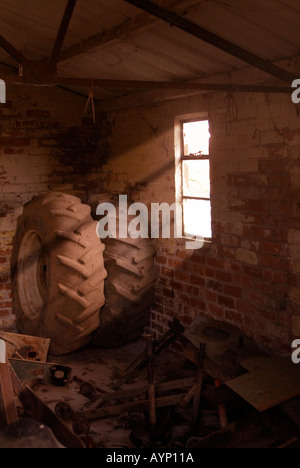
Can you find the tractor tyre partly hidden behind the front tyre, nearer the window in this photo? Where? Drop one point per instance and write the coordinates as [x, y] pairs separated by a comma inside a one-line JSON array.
[[129, 287]]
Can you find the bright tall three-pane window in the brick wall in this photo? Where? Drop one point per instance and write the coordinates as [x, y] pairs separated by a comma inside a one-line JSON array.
[[193, 180]]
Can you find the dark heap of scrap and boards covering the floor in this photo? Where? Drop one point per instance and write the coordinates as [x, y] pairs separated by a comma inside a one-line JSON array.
[[225, 393]]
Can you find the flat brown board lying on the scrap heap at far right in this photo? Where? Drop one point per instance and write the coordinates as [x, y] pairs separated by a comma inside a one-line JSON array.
[[271, 381]]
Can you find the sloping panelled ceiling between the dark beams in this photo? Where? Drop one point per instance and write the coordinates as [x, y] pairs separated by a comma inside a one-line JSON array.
[[153, 50]]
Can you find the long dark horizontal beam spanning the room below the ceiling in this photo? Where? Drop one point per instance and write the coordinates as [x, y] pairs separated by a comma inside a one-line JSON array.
[[99, 83]]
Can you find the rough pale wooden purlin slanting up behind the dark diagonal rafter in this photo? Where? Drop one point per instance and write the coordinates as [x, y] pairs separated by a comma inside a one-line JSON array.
[[121, 31]]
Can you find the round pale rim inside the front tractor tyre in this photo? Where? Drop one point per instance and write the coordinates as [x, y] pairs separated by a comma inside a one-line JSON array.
[[32, 274]]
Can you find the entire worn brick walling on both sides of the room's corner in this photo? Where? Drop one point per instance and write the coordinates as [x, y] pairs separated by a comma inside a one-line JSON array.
[[249, 273]]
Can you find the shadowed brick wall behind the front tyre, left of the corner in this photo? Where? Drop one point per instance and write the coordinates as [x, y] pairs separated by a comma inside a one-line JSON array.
[[46, 143]]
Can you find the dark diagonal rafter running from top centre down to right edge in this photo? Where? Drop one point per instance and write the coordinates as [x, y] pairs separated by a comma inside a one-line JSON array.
[[211, 38]]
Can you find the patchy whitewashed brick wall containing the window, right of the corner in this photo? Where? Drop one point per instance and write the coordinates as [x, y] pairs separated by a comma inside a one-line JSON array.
[[249, 274]]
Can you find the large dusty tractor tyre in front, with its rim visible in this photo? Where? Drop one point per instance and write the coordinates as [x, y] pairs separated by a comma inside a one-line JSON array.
[[57, 272]]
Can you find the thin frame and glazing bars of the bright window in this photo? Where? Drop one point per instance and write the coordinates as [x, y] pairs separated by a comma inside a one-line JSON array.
[[182, 158]]
